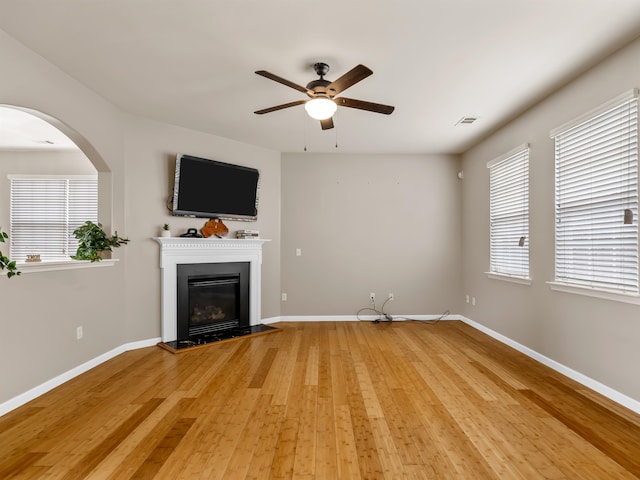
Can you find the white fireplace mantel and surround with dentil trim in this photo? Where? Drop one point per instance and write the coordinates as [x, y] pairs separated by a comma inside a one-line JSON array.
[[182, 250]]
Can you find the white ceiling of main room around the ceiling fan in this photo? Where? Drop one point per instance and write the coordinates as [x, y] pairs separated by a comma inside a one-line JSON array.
[[191, 62]]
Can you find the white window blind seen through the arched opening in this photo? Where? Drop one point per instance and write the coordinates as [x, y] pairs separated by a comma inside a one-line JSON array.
[[46, 210]]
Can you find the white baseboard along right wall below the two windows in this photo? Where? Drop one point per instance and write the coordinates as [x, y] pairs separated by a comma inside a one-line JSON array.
[[602, 389]]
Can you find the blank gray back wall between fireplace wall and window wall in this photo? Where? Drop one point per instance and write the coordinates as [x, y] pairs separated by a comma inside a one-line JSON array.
[[370, 223]]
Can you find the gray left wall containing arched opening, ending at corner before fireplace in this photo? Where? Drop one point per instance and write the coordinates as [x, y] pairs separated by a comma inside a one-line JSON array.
[[40, 311]]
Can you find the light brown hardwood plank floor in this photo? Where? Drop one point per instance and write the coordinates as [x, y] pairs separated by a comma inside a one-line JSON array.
[[353, 400]]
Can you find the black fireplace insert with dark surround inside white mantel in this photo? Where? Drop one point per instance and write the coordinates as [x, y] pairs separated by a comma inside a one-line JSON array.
[[212, 297]]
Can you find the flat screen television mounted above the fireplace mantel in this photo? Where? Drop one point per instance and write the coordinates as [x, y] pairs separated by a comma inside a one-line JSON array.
[[211, 189]]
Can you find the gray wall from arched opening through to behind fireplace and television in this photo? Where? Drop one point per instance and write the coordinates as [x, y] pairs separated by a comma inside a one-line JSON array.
[[120, 304]]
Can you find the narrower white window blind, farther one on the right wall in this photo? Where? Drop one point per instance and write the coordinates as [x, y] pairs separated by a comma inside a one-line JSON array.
[[509, 213]]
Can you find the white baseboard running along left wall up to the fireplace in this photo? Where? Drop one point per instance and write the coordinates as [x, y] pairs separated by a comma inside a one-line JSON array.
[[35, 392]]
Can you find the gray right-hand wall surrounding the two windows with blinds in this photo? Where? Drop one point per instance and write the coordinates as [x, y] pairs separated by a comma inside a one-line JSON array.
[[596, 337]]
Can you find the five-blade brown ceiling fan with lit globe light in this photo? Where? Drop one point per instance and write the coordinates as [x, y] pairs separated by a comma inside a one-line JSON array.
[[322, 103]]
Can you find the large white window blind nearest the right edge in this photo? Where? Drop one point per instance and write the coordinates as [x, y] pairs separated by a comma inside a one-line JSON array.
[[596, 231]]
